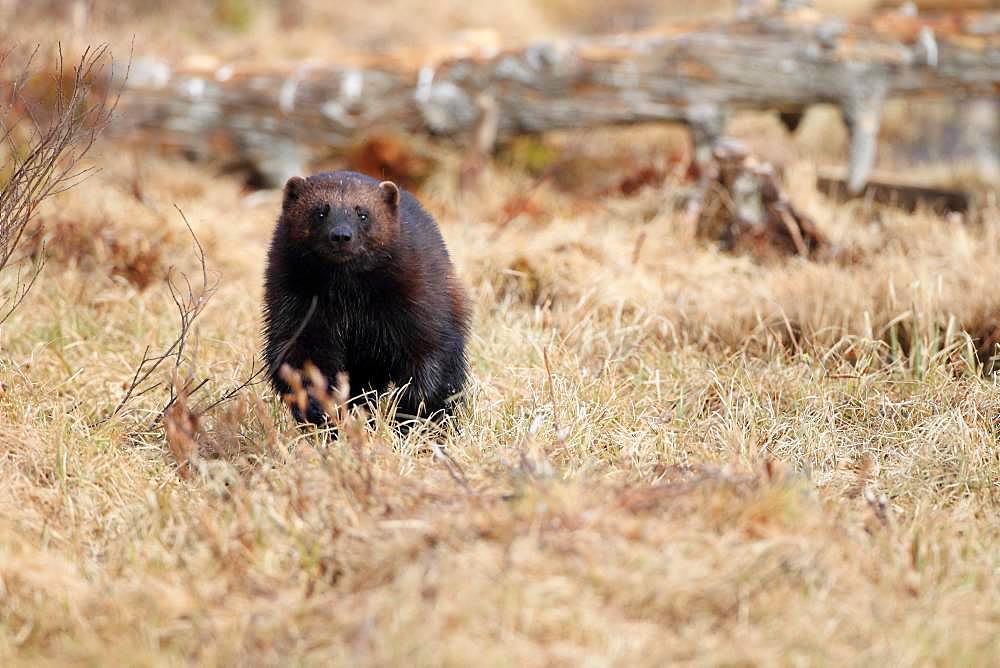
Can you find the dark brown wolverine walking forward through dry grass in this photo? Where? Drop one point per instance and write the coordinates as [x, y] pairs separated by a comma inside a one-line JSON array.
[[359, 281]]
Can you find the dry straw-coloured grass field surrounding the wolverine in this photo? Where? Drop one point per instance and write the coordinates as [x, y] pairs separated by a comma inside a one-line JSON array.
[[668, 454]]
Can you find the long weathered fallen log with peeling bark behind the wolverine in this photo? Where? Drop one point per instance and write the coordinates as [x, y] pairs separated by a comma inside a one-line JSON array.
[[694, 73]]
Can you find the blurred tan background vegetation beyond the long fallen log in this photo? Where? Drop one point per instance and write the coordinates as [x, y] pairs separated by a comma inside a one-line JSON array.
[[938, 136]]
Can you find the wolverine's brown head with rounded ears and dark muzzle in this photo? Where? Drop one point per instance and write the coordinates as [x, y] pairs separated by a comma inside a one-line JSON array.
[[342, 217]]
